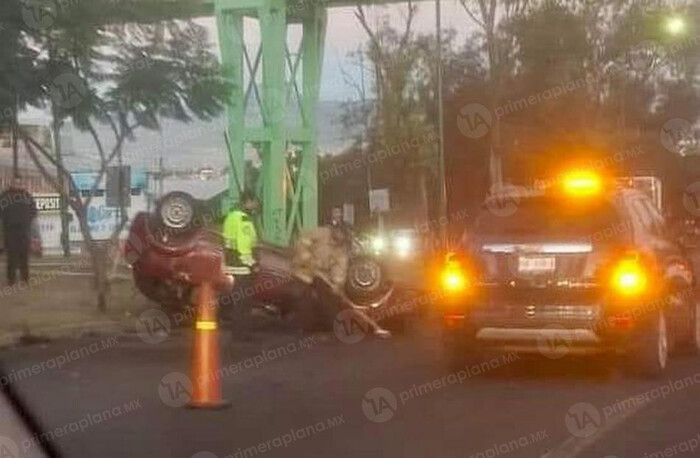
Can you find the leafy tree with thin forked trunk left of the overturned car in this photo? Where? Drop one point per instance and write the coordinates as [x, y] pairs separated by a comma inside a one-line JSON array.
[[126, 77]]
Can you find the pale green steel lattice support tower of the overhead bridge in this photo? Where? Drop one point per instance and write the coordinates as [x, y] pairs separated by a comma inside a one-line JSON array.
[[286, 76]]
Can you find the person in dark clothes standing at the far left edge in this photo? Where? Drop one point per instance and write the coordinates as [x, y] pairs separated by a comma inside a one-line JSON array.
[[17, 210]]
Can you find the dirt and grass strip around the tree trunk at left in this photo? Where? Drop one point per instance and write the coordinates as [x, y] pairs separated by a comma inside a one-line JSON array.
[[60, 302]]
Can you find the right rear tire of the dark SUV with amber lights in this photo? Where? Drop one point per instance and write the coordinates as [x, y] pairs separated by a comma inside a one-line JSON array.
[[649, 348]]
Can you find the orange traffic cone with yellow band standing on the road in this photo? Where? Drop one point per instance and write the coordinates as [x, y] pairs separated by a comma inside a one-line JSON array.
[[206, 393]]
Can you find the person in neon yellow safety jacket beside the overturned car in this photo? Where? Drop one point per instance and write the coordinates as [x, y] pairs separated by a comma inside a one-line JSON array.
[[240, 237]]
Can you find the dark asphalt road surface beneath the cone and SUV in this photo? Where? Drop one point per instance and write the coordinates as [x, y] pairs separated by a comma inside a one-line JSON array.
[[302, 396]]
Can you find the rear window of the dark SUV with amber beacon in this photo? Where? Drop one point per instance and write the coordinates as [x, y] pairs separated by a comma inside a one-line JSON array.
[[556, 218]]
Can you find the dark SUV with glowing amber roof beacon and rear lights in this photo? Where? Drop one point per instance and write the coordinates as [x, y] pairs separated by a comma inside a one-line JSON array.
[[579, 268]]
